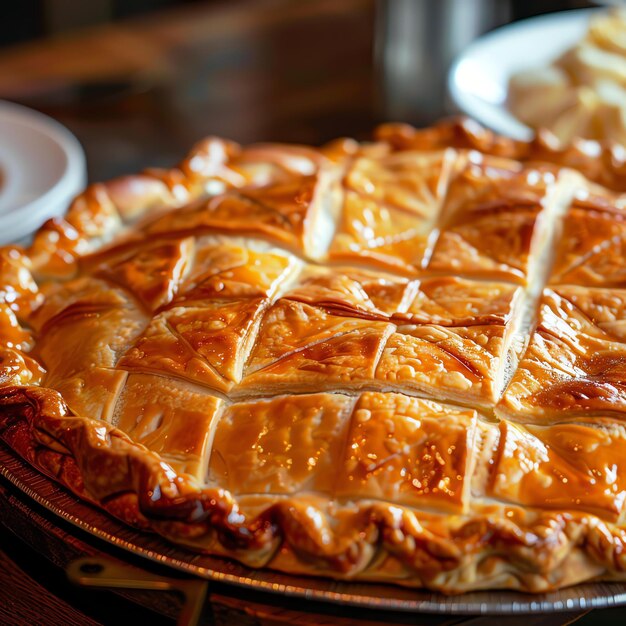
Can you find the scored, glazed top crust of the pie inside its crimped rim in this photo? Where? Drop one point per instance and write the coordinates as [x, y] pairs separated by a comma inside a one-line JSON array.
[[260, 339]]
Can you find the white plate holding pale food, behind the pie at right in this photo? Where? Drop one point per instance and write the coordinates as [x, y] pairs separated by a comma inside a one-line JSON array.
[[479, 77]]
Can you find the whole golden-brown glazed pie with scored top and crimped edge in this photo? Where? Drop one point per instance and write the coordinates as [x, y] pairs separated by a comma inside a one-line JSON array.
[[398, 361]]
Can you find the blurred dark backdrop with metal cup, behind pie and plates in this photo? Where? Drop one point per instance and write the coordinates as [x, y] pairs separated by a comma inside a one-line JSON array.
[[139, 81]]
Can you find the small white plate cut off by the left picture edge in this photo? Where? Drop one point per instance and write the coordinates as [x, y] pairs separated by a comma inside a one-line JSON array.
[[42, 167]]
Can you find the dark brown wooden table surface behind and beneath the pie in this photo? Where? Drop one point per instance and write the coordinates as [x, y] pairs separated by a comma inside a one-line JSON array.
[[140, 93]]
